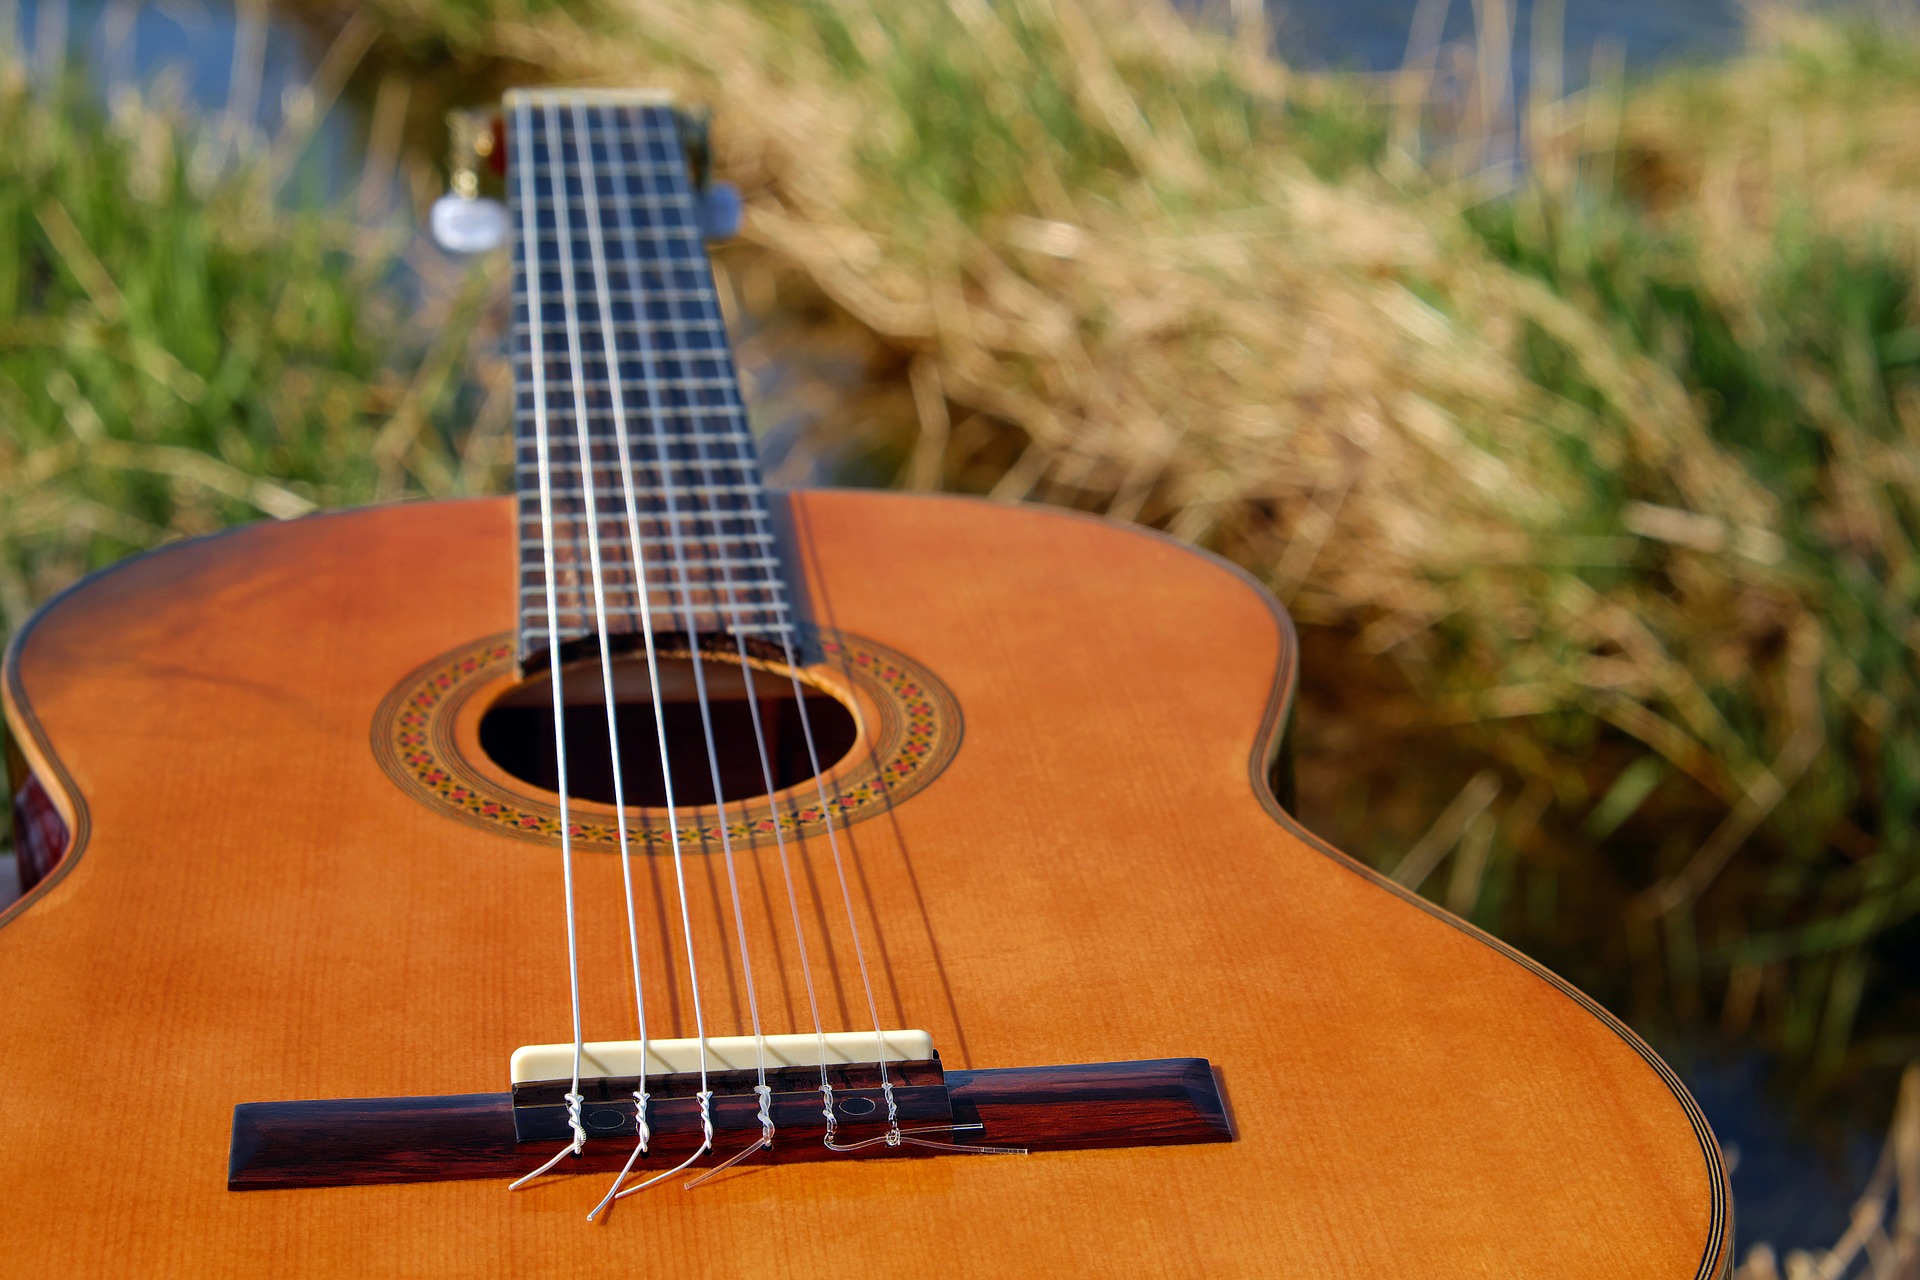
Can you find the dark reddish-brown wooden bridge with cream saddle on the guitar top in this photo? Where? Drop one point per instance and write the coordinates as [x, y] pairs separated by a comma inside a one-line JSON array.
[[372, 1141]]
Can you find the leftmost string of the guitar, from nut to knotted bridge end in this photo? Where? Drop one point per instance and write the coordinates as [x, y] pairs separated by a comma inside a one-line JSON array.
[[531, 260]]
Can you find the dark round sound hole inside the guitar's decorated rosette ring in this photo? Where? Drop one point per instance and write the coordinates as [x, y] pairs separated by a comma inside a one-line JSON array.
[[517, 732]]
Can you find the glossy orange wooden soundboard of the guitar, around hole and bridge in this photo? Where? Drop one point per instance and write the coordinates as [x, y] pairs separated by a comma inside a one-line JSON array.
[[1072, 857]]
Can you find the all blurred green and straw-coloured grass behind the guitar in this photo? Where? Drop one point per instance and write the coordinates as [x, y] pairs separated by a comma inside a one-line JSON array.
[[1577, 425]]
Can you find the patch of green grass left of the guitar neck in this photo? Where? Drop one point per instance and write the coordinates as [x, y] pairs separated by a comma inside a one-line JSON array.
[[189, 343]]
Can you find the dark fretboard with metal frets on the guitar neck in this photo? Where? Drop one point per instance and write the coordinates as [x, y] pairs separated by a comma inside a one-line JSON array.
[[617, 327]]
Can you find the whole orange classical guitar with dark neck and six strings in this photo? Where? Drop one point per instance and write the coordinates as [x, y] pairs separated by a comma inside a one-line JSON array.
[[656, 872]]
